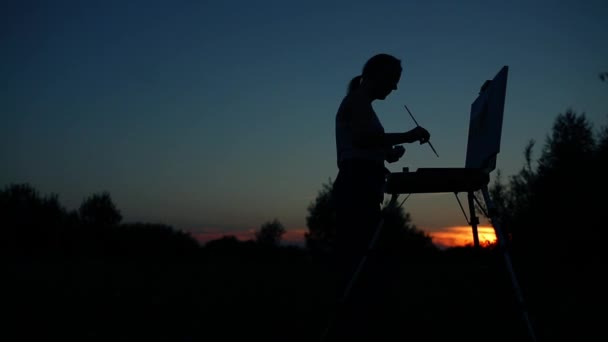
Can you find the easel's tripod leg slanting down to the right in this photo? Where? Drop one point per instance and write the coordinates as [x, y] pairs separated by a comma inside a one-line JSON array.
[[507, 258]]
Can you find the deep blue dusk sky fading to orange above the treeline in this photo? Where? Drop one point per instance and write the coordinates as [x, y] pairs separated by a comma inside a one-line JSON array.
[[217, 116]]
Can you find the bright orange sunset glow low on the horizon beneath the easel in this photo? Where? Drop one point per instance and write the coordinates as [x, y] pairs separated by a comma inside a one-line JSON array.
[[462, 236]]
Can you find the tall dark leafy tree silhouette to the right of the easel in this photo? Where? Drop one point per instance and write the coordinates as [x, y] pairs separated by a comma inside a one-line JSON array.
[[543, 204]]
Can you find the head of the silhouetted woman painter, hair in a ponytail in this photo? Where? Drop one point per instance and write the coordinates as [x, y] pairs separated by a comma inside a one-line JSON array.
[[382, 72]]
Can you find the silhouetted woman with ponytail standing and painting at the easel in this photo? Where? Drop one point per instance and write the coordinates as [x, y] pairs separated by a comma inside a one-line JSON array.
[[358, 191]]
